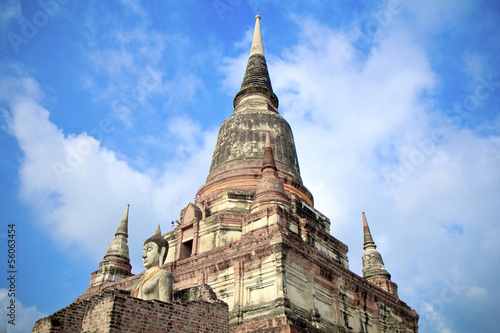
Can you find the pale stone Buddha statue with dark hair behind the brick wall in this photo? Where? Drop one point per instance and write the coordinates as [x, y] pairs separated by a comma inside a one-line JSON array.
[[156, 283]]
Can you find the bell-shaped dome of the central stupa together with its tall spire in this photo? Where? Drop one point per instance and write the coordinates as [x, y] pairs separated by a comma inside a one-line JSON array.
[[238, 152]]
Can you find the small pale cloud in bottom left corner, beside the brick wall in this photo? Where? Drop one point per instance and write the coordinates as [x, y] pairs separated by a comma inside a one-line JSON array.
[[24, 317]]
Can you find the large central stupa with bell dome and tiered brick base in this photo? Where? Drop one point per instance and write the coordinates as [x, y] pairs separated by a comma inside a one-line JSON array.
[[254, 236]]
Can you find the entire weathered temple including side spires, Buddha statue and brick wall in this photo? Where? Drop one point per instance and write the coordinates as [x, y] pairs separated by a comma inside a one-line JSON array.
[[250, 254]]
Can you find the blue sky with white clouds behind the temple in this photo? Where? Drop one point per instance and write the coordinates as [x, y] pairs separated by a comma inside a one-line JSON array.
[[394, 106]]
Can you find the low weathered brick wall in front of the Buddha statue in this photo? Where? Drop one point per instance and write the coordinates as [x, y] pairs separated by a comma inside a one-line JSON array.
[[115, 311]]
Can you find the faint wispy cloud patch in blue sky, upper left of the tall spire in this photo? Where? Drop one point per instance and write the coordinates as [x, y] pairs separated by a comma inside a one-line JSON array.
[[127, 75]]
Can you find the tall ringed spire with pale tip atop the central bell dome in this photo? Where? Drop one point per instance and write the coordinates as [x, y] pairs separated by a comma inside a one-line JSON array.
[[256, 81]]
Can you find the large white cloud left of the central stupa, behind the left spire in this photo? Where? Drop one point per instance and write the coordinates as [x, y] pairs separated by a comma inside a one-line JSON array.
[[80, 188]]
